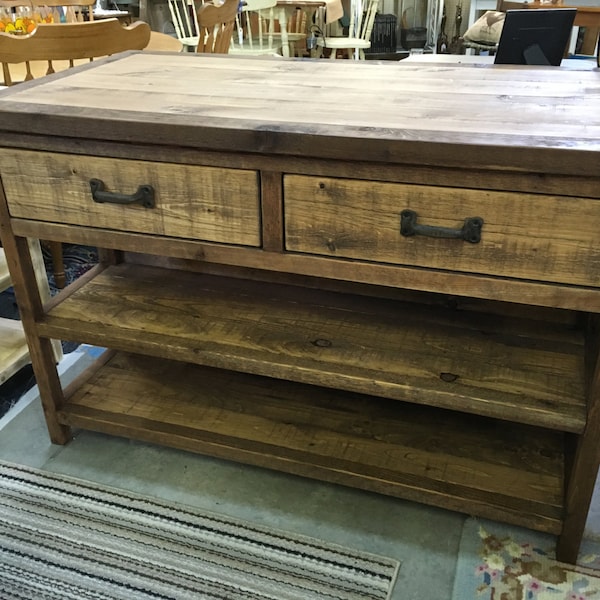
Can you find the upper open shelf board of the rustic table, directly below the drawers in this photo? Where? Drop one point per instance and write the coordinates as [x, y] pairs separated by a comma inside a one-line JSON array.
[[496, 366]]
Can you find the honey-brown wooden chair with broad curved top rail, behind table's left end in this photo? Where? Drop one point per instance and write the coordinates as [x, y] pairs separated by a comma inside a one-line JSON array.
[[55, 47]]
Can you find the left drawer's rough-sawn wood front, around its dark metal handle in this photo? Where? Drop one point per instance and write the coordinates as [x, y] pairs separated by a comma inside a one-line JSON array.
[[192, 202]]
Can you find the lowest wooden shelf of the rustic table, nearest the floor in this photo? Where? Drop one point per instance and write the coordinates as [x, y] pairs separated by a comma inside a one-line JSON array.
[[481, 466]]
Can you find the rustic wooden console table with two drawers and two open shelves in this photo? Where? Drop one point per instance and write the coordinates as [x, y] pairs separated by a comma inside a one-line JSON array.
[[380, 275]]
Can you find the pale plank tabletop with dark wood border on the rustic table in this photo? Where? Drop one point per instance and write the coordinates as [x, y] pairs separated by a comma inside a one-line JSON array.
[[344, 109]]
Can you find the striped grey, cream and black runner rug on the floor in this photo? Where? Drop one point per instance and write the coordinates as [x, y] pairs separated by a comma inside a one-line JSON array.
[[65, 538]]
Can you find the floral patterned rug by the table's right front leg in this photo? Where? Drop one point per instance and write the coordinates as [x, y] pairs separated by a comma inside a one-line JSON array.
[[501, 562]]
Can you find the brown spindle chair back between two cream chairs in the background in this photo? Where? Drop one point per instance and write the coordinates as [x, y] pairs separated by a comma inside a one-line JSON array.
[[215, 26]]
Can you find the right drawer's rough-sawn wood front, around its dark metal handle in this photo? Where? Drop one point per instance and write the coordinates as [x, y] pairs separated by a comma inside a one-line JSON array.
[[525, 236]]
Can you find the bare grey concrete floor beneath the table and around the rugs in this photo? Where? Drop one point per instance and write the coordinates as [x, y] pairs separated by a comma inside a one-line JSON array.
[[426, 540]]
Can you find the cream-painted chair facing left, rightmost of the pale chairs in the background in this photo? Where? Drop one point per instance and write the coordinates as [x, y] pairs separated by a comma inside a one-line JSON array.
[[359, 38]]
